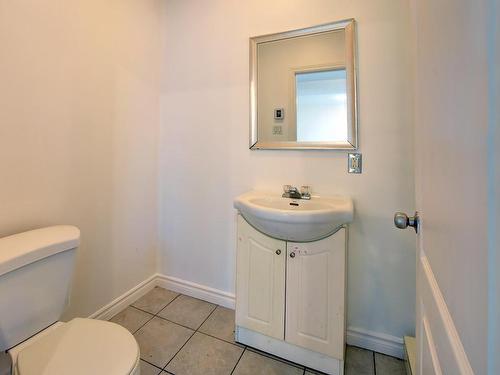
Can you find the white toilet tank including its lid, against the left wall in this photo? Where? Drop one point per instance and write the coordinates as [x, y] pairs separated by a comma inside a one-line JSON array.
[[36, 269]]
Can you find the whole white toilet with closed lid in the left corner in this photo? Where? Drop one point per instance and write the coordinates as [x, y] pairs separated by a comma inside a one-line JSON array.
[[36, 270]]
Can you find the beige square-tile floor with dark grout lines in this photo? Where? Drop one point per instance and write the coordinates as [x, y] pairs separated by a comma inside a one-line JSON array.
[[182, 335]]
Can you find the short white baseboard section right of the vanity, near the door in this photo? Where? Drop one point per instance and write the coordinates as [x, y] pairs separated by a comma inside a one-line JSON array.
[[376, 341]]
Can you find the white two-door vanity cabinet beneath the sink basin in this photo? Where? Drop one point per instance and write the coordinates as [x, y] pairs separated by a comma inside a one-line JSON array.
[[290, 297]]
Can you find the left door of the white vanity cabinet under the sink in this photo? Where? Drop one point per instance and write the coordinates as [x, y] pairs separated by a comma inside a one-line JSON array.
[[260, 281]]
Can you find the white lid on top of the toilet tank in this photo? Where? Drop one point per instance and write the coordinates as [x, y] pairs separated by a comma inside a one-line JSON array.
[[24, 248]]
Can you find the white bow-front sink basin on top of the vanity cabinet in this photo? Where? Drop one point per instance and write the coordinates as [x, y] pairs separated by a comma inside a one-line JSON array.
[[294, 219]]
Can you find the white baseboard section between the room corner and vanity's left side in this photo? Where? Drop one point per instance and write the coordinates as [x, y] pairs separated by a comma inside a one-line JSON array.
[[191, 289]]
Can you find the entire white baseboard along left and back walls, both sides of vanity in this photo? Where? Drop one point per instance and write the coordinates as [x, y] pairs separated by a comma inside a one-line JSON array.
[[378, 342]]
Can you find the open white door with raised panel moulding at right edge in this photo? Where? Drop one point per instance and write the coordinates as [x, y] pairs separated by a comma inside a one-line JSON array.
[[452, 179]]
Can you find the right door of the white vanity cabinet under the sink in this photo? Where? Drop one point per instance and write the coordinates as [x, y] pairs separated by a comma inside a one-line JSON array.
[[316, 294]]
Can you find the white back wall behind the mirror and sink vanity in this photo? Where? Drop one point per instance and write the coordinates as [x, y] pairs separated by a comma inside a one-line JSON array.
[[205, 160]]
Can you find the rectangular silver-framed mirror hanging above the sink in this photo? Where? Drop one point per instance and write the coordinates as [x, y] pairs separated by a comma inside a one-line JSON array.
[[303, 89]]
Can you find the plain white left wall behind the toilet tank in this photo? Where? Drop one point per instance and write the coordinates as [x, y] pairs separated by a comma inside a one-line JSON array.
[[79, 118]]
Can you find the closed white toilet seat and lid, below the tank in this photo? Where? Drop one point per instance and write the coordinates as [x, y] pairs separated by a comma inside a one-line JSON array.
[[81, 347]]
